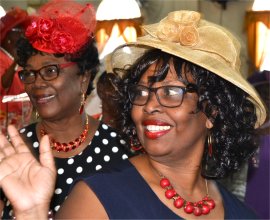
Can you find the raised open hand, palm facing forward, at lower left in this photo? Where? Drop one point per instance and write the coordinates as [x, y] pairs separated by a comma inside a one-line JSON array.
[[27, 183]]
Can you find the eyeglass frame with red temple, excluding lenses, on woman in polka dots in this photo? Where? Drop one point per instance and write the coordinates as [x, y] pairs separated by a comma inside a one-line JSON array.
[[58, 67]]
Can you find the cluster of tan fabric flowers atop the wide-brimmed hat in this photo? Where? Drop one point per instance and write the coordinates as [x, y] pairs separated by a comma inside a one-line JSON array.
[[180, 27]]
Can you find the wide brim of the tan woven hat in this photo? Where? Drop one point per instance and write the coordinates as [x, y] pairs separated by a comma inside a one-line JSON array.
[[127, 54]]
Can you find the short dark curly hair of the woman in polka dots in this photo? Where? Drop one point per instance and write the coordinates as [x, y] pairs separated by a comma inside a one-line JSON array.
[[87, 58]]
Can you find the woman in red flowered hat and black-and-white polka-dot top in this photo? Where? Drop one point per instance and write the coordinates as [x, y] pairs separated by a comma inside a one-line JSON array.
[[60, 60]]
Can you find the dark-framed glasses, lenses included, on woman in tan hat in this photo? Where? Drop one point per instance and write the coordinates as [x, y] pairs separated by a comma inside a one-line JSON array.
[[167, 96]]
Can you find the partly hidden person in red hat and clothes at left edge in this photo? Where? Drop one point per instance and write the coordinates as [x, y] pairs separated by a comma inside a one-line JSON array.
[[12, 27]]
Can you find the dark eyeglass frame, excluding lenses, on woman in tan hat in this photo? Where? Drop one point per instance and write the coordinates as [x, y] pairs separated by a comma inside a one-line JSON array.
[[191, 88]]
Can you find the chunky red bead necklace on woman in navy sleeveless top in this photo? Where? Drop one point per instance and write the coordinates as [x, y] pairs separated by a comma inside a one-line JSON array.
[[203, 206]]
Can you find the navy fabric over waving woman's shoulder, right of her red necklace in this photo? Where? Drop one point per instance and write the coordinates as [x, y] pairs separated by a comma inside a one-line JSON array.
[[233, 207]]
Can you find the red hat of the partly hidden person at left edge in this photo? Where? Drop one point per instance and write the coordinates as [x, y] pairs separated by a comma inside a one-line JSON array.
[[12, 18]]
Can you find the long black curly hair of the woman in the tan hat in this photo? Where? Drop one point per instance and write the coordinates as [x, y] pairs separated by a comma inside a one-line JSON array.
[[227, 106]]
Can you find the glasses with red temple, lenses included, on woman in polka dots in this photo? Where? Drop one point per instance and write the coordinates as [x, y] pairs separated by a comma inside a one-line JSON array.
[[47, 73]]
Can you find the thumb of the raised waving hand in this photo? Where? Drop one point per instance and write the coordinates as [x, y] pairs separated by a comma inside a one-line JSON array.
[[45, 154]]
